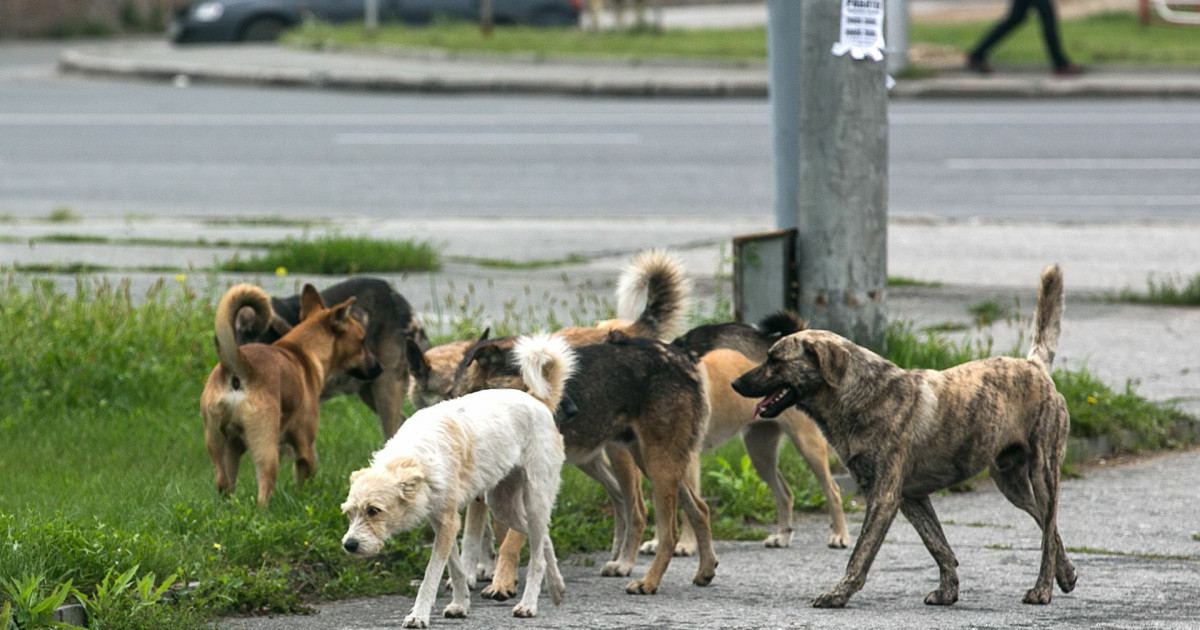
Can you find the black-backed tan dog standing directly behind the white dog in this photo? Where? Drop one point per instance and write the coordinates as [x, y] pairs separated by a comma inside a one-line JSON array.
[[634, 394]]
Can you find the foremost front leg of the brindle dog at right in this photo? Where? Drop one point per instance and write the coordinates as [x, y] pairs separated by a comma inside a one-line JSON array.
[[883, 494]]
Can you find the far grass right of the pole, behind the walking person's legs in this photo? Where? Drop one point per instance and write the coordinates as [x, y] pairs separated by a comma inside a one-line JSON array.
[[1115, 38]]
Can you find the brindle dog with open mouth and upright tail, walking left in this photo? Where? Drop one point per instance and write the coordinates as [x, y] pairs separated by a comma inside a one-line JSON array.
[[907, 434]]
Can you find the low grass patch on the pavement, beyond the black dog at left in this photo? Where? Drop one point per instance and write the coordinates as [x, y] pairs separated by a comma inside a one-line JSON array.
[[340, 256]]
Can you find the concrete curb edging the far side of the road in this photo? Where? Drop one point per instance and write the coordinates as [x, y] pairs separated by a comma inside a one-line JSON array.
[[1100, 85]]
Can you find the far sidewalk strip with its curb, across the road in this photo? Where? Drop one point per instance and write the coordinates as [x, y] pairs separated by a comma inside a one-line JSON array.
[[439, 73]]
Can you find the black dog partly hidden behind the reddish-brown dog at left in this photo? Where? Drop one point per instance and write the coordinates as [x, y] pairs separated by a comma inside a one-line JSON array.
[[388, 321]]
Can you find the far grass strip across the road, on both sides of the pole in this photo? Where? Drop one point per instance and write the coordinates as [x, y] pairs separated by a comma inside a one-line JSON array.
[[1097, 40]]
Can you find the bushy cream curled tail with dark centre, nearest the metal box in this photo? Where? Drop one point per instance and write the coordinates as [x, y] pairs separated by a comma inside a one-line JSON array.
[[658, 278]]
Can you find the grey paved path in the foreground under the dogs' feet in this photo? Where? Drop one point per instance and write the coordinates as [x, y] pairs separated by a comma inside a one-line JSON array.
[[1130, 530]]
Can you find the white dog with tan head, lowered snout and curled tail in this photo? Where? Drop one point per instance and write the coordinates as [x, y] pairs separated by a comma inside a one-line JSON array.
[[502, 445]]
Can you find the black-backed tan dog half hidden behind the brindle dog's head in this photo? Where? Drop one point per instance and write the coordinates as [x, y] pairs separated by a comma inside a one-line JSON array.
[[729, 351]]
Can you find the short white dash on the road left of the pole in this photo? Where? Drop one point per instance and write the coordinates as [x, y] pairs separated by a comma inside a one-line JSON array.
[[487, 140]]
